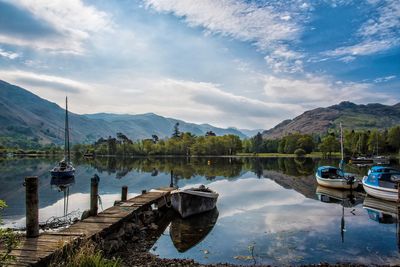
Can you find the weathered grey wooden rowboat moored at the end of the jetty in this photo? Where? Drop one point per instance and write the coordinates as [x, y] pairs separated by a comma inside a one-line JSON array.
[[192, 201]]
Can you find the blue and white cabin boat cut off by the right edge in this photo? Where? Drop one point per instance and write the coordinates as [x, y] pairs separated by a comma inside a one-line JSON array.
[[382, 182]]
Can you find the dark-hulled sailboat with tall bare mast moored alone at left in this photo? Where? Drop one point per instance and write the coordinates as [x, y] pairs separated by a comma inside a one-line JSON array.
[[65, 168]]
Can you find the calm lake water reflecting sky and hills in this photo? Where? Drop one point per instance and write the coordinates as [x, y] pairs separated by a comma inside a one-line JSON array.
[[270, 211]]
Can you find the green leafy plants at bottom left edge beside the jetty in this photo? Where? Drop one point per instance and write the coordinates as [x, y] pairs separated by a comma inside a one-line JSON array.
[[8, 241]]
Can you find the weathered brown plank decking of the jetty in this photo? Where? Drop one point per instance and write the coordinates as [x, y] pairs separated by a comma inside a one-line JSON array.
[[37, 251]]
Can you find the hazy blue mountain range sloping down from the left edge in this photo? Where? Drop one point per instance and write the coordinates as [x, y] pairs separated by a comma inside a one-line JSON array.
[[23, 114]]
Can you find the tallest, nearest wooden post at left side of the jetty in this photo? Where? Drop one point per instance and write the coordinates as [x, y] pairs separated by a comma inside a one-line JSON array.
[[32, 206]]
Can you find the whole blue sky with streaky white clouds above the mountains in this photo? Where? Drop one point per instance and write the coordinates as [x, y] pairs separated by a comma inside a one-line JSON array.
[[247, 64]]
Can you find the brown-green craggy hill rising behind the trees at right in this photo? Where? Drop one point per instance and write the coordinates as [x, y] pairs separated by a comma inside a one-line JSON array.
[[353, 116]]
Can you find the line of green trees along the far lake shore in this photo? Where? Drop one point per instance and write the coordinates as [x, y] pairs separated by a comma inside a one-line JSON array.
[[359, 142]]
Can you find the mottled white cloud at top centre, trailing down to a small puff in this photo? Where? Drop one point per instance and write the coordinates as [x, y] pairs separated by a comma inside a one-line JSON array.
[[267, 25]]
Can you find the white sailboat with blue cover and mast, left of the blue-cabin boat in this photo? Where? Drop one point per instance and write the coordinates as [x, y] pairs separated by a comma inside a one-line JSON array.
[[336, 177]]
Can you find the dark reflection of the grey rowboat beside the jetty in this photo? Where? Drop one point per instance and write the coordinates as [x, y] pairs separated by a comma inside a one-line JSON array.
[[186, 233]]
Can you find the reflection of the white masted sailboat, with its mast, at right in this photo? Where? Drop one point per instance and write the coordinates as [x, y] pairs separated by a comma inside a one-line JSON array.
[[345, 198]]
